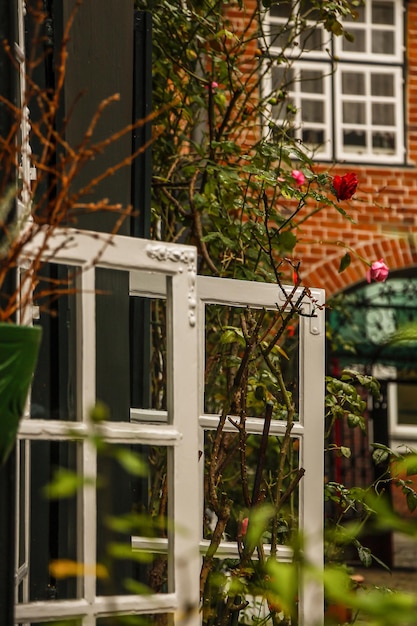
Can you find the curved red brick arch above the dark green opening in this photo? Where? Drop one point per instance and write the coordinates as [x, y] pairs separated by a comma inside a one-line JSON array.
[[397, 252]]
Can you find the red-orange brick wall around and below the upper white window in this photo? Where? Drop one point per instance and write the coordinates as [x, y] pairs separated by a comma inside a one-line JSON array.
[[385, 209]]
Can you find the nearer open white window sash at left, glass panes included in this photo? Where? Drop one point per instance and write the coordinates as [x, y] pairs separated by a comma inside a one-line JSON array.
[[62, 574]]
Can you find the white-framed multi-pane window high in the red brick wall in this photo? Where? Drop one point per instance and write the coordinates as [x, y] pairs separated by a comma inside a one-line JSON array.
[[343, 99]]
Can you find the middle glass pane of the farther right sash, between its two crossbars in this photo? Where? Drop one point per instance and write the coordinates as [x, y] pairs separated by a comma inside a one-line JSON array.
[[250, 469]]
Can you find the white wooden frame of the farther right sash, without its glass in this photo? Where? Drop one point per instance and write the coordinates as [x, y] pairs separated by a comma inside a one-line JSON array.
[[309, 430]]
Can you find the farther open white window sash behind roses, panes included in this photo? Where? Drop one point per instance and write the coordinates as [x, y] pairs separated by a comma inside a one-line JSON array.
[[226, 301]]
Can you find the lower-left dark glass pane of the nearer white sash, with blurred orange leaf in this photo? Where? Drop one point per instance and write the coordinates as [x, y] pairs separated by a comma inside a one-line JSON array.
[[53, 522]]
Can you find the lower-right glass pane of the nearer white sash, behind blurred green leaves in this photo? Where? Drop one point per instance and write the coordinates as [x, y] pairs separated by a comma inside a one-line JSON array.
[[132, 503]]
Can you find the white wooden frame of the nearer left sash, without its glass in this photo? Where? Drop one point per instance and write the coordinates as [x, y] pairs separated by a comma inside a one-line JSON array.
[[177, 265]]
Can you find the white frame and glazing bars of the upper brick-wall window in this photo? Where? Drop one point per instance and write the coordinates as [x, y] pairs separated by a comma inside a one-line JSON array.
[[378, 63]]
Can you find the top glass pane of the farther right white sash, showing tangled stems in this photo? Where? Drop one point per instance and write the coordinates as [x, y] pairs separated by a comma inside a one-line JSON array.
[[236, 379]]
